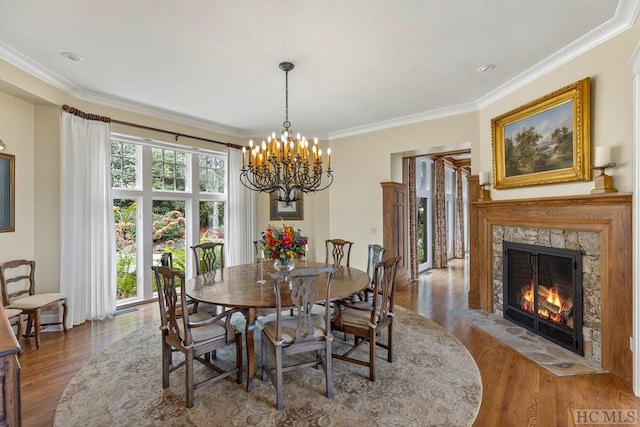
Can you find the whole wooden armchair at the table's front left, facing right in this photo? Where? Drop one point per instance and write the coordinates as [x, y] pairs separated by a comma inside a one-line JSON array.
[[197, 340]]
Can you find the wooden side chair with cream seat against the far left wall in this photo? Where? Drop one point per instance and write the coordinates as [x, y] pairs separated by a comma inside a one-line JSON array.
[[17, 280]]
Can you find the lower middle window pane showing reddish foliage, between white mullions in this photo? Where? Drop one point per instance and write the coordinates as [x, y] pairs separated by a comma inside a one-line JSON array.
[[169, 231]]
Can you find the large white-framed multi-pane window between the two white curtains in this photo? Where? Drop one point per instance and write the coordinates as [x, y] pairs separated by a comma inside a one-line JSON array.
[[158, 209]]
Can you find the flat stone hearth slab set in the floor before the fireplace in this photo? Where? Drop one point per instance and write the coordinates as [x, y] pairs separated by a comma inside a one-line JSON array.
[[555, 359]]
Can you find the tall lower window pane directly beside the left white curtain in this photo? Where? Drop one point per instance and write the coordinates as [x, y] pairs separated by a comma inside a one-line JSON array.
[[125, 215]]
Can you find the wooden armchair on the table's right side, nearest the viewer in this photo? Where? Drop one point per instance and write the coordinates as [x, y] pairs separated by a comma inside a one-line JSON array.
[[366, 320]]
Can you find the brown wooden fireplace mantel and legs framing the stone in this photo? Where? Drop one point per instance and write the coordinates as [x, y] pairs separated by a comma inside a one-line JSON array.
[[606, 215]]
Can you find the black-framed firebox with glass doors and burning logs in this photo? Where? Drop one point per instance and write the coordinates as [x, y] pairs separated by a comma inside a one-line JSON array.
[[542, 289]]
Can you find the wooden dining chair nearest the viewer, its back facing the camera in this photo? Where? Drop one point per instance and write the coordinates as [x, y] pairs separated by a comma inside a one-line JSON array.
[[303, 332]]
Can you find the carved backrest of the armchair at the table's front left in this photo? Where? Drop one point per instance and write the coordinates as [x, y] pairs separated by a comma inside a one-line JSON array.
[[174, 320]]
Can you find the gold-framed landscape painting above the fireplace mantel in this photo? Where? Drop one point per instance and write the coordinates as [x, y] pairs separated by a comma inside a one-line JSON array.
[[546, 141]]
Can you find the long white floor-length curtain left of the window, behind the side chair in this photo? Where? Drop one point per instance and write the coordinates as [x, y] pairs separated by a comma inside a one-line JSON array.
[[87, 250]]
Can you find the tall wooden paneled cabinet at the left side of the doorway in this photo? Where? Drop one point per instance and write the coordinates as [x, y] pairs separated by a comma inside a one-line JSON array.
[[394, 224]]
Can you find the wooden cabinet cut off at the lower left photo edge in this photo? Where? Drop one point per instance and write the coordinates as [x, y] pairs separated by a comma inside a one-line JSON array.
[[9, 374]]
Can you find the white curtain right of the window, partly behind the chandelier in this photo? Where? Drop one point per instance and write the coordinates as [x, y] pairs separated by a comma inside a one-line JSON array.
[[242, 214]]
